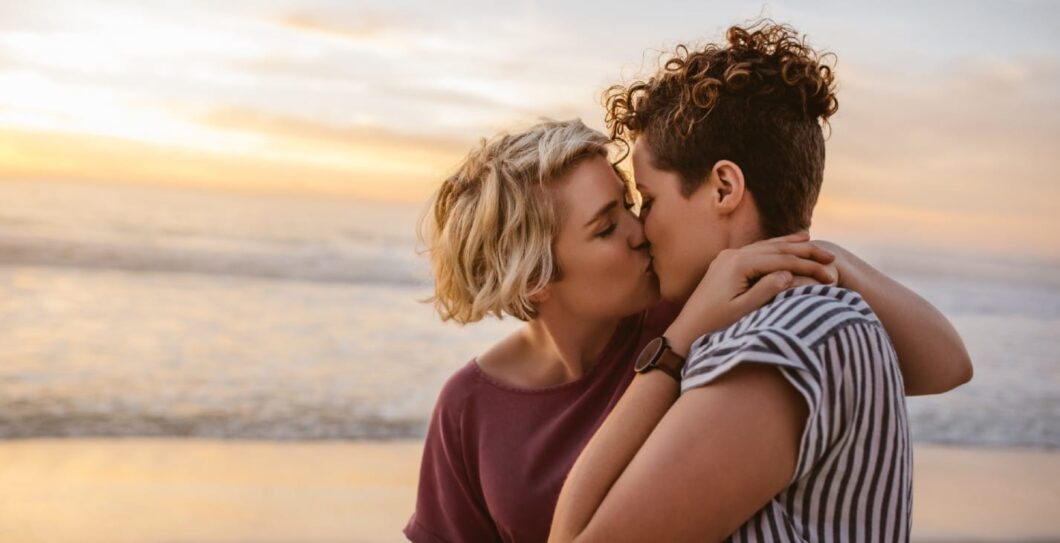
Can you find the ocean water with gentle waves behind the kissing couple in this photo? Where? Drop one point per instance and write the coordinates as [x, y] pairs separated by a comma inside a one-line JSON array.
[[147, 311]]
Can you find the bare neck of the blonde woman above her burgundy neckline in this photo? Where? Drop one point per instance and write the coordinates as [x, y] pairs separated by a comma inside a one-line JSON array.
[[568, 346]]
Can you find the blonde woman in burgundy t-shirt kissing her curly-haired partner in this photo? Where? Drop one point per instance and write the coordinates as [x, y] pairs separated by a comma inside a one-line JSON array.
[[539, 226]]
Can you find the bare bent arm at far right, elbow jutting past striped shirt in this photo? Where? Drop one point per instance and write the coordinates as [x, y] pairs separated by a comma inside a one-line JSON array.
[[931, 354]]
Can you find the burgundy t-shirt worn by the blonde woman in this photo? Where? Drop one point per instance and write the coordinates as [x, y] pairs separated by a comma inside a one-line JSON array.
[[497, 457]]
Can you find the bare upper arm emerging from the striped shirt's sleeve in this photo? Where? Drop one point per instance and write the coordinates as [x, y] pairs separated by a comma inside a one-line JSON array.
[[699, 485]]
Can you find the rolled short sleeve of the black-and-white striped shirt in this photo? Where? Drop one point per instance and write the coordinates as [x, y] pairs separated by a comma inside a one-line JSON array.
[[710, 360]]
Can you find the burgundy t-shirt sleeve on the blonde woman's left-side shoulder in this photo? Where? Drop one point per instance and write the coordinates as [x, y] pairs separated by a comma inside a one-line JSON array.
[[450, 509]]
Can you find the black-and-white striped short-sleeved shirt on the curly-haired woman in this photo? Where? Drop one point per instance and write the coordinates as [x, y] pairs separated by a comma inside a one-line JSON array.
[[853, 480]]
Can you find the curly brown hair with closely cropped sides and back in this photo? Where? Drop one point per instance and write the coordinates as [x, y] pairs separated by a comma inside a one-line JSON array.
[[761, 101]]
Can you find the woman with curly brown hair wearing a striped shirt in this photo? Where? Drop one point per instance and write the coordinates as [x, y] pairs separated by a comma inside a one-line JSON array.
[[791, 424]]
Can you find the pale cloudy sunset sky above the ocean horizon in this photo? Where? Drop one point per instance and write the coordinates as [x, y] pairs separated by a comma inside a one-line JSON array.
[[948, 131]]
